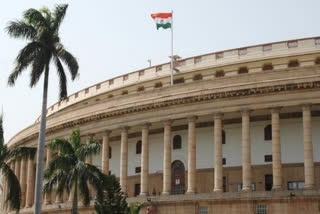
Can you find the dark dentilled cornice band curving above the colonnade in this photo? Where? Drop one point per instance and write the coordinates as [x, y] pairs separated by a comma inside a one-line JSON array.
[[290, 87]]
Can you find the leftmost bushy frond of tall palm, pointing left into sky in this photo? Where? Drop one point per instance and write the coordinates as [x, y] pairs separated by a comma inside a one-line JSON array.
[[21, 30]]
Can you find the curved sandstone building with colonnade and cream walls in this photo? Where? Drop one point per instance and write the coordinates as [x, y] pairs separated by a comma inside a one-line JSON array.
[[238, 132]]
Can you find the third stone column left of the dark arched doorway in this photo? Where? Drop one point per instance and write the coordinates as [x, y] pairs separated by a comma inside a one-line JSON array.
[[124, 159]]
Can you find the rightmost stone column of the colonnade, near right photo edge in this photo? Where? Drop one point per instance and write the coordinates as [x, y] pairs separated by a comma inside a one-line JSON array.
[[307, 148]]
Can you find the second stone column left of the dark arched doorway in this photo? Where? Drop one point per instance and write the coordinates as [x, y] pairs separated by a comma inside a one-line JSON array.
[[145, 160]]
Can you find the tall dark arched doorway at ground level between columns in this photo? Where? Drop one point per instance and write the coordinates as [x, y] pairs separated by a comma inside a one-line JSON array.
[[177, 178]]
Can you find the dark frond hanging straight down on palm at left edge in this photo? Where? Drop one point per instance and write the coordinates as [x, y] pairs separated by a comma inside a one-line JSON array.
[[14, 192]]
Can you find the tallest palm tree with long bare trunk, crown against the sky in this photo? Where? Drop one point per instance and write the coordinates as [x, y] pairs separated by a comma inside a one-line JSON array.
[[41, 29]]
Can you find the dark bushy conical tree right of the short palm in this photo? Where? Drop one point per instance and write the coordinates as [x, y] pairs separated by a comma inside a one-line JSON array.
[[114, 200]]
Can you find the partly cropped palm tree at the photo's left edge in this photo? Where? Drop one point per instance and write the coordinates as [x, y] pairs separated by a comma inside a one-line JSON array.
[[13, 196]]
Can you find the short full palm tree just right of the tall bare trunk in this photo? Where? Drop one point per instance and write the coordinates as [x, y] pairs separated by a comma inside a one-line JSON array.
[[69, 171]]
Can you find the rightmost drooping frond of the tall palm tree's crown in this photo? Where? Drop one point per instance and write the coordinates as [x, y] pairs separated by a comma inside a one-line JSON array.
[[69, 60]]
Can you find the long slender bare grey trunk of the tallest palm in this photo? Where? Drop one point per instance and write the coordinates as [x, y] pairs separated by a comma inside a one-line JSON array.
[[41, 142]]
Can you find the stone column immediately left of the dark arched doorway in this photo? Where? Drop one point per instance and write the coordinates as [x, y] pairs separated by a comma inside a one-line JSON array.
[[167, 158]]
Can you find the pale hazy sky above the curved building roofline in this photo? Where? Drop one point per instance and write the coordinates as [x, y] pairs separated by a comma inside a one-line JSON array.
[[110, 38]]
